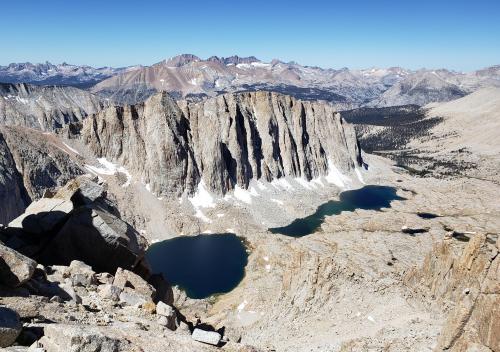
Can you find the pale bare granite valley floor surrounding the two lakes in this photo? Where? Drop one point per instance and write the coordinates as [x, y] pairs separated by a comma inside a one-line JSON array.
[[344, 287]]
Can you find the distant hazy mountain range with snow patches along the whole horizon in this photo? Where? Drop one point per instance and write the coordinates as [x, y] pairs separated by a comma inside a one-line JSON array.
[[190, 77]]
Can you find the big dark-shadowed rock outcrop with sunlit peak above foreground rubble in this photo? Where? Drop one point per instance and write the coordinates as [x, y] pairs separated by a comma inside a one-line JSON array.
[[78, 223]]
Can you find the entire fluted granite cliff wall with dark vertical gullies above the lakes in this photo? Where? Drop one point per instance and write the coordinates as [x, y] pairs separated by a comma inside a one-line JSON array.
[[225, 141]]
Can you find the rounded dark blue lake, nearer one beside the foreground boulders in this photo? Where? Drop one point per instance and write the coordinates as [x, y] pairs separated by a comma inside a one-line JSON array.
[[201, 265]]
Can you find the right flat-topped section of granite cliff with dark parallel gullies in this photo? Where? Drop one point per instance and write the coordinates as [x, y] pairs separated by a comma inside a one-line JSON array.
[[263, 135]]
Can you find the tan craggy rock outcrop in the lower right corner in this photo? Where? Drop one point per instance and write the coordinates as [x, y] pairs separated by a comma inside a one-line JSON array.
[[465, 279]]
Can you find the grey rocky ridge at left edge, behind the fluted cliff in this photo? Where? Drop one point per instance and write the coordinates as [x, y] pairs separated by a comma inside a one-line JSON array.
[[45, 107]]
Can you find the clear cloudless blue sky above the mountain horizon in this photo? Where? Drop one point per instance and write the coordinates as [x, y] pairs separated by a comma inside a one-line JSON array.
[[456, 34]]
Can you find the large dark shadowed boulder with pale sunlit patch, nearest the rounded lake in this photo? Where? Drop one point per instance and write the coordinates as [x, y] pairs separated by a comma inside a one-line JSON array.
[[99, 239]]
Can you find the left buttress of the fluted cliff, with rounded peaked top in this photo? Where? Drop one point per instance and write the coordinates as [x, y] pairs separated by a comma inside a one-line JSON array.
[[151, 138]]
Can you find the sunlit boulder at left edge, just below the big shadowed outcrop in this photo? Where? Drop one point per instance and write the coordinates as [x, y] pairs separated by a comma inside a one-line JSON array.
[[15, 268]]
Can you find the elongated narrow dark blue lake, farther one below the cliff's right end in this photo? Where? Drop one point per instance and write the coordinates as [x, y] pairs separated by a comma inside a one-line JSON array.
[[368, 197]]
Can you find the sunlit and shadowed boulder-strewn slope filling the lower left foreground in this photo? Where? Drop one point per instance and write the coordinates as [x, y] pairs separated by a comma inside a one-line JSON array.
[[73, 277]]
